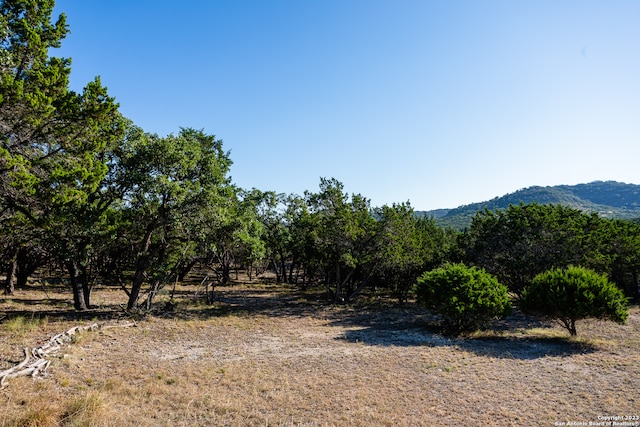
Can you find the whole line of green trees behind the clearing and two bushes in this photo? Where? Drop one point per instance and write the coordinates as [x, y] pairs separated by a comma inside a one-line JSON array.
[[87, 194]]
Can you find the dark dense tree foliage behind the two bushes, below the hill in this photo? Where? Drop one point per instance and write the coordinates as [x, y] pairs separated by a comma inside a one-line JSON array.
[[518, 243]]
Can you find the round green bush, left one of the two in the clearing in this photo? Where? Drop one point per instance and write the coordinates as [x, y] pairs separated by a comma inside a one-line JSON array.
[[466, 297]]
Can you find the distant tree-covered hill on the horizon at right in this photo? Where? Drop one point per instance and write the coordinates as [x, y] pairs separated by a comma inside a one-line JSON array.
[[610, 199]]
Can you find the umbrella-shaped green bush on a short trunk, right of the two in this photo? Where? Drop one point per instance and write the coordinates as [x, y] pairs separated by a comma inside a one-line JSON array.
[[568, 295]]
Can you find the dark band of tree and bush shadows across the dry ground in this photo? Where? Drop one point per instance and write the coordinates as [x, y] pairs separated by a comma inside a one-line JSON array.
[[375, 324]]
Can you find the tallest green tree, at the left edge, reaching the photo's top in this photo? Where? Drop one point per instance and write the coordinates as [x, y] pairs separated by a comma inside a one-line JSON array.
[[53, 141]]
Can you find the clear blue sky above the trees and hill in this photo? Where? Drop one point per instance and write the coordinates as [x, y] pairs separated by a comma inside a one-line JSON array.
[[441, 103]]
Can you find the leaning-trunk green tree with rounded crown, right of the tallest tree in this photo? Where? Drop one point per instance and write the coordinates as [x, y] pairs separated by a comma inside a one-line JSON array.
[[170, 182]]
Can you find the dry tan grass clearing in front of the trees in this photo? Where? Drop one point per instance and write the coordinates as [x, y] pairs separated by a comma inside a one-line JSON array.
[[266, 356]]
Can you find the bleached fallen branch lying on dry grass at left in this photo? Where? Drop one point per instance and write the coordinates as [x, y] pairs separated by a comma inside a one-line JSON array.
[[36, 360]]
